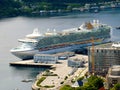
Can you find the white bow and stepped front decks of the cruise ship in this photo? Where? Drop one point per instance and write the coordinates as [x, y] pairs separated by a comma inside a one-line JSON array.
[[27, 49]]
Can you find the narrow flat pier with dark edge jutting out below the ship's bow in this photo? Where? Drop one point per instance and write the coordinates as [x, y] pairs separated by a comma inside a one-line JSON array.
[[29, 63]]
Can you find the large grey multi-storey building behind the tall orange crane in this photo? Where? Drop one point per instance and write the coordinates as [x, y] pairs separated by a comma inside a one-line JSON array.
[[103, 56]]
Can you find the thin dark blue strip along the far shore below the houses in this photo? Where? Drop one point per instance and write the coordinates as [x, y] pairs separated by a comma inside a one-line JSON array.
[[45, 15]]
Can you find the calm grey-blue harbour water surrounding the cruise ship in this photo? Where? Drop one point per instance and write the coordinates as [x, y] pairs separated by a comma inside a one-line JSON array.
[[12, 29]]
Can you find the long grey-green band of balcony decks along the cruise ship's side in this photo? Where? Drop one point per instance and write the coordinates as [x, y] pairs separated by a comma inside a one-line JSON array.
[[70, 38]]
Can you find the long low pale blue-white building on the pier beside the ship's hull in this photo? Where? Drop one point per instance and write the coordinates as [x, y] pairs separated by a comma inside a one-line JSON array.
[[45, 58]]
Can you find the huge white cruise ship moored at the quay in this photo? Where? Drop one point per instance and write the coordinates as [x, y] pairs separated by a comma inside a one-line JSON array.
[[66, 40]]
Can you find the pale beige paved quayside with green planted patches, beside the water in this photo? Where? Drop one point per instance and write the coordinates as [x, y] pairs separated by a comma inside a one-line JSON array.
[[62, 77]]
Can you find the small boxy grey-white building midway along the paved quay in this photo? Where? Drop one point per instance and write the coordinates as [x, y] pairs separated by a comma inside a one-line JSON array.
[[75, 63]]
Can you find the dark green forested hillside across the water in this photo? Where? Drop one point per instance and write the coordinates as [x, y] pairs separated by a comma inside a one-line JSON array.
[[9, 8]]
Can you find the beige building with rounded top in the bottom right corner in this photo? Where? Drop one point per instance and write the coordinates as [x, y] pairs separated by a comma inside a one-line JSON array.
[[113, 76]]
